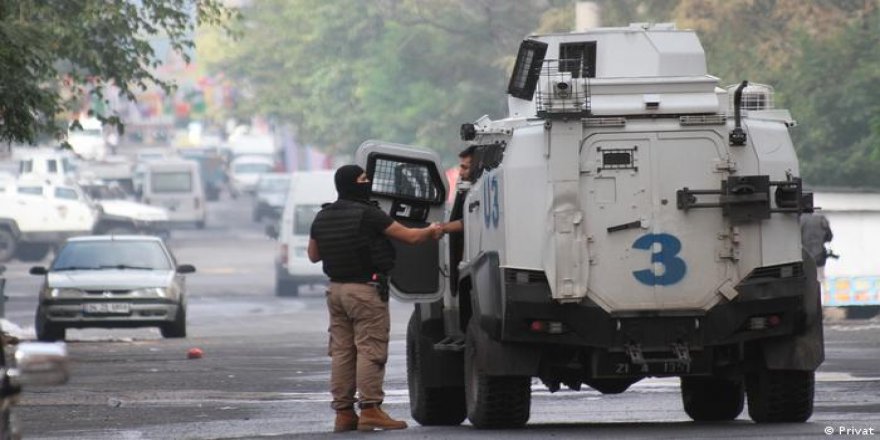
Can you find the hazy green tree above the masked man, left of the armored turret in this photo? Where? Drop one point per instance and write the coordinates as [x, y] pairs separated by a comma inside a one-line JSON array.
[[410, 71]]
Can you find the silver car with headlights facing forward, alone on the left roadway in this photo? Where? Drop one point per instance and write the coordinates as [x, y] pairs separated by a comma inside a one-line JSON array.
[[112, 281]]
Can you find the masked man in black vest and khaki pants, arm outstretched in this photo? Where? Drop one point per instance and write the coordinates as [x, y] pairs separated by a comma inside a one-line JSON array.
[[350, 236]]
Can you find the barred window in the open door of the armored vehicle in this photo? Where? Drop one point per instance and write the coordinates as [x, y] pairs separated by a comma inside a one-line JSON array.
[[411, 181]]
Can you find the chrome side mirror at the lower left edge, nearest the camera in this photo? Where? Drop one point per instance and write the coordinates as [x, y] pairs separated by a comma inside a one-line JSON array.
[[39, 363]]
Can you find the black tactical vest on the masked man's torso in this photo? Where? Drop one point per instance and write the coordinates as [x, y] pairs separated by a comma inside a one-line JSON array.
[[349, 253]]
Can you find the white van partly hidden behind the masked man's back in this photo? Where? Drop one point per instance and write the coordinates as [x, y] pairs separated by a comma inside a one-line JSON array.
[[308, 191]]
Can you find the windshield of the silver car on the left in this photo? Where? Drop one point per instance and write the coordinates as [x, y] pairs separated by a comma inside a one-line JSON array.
[[107, 254]]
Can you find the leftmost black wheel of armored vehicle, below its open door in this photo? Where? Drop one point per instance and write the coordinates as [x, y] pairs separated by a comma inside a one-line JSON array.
[[434, 405]]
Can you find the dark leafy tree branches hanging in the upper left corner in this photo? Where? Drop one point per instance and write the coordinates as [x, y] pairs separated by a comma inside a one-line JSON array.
[[56, 53]]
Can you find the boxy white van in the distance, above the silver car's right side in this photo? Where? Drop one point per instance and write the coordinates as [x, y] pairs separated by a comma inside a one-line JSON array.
[[176, 186]]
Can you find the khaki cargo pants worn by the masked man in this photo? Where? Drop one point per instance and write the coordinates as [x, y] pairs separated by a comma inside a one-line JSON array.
[[359, 326]]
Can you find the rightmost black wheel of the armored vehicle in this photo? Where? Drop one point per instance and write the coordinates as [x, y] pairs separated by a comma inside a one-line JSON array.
[[780, 396]]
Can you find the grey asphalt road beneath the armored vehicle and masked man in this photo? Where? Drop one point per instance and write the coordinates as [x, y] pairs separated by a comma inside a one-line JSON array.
[[265, 369]]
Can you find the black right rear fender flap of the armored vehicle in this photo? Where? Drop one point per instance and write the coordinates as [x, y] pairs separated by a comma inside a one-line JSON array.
[[805, 351]]
